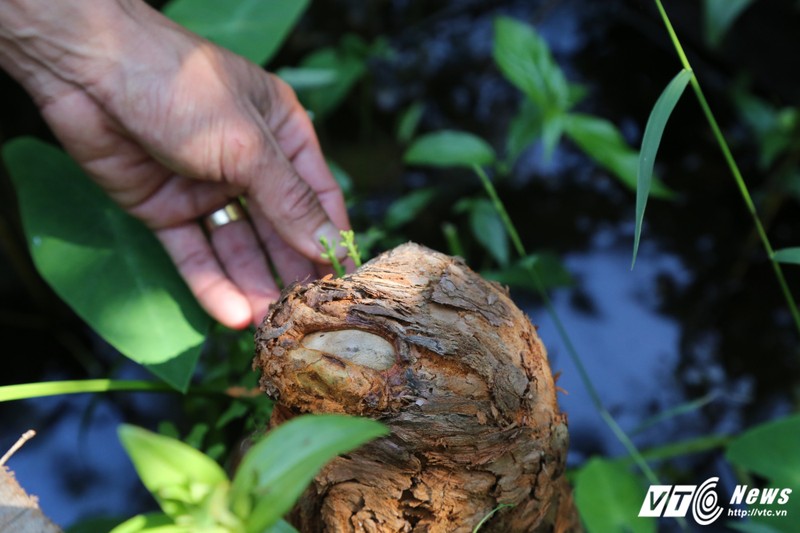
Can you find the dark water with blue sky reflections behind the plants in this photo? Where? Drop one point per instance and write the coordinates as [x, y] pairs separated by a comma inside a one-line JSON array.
[[700, 315]]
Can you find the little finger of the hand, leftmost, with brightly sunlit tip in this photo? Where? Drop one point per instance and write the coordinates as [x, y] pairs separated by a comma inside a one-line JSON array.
[[192, 254]]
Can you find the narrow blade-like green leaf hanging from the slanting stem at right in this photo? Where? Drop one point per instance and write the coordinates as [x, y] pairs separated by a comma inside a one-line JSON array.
[[650, 143]]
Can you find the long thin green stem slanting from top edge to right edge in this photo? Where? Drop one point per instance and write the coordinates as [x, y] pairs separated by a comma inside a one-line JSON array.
[[733, 166]]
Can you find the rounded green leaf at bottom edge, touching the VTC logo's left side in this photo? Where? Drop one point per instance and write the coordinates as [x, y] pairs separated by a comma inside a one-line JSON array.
[[609, 497]]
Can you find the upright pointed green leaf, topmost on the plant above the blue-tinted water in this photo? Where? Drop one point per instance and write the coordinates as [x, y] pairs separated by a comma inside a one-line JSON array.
[[525, 60]]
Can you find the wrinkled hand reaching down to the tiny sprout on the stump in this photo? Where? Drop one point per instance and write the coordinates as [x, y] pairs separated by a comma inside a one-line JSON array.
[[174, 127]]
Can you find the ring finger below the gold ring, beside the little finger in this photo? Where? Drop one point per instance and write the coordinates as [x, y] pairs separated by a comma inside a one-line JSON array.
[[245, 262]]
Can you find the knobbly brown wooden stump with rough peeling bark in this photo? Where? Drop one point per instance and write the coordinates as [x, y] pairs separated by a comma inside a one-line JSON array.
[[419, 341]]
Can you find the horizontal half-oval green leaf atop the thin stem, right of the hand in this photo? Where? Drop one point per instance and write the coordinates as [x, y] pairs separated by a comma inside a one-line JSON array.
[[449, 148]]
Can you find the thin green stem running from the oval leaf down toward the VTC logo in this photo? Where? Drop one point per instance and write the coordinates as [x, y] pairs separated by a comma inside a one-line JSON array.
[[594, 396]]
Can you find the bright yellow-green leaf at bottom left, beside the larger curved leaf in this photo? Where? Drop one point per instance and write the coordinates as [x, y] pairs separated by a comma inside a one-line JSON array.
[[179, 476]]
